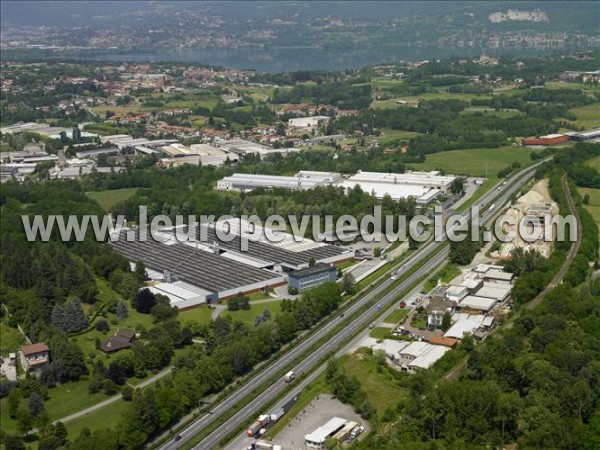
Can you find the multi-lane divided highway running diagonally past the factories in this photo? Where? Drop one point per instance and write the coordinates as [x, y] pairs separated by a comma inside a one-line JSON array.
[[426, 256]]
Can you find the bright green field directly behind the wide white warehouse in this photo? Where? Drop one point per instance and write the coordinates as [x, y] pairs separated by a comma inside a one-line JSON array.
[[479, 162]]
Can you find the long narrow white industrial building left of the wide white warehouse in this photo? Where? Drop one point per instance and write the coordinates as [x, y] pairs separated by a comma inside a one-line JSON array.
[[303, 180]]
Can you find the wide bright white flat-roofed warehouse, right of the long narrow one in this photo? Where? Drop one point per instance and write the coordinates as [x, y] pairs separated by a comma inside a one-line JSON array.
[[423, 186]]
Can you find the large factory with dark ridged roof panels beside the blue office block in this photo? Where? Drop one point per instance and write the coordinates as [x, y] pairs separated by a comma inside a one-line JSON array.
[[193, 273]]
